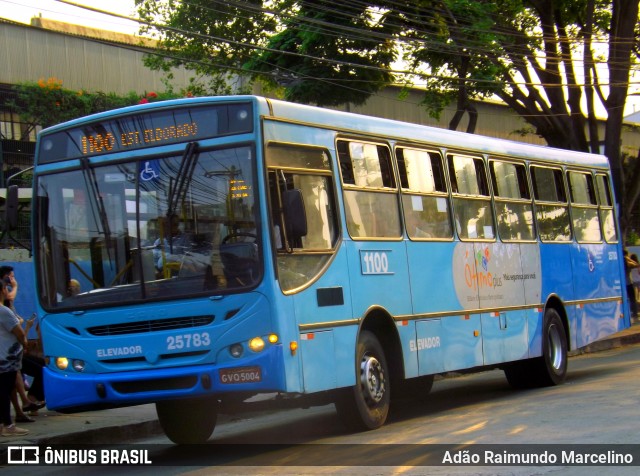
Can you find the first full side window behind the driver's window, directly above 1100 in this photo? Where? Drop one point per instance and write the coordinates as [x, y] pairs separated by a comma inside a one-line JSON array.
[[370, 192]]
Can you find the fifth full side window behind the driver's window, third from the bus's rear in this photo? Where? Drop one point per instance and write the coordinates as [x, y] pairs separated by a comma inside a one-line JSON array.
[[552, 211]]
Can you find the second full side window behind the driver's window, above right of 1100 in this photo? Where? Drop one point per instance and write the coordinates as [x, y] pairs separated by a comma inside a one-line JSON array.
[[424, 198]]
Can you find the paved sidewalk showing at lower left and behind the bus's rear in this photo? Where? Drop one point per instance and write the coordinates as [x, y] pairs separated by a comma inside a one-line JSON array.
[[128, 423]]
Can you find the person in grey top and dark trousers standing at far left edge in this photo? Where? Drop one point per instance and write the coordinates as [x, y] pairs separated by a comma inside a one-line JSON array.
[[12, 341]]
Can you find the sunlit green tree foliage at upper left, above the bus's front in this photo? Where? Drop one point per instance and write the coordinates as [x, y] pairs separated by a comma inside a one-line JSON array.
[[212, 39]]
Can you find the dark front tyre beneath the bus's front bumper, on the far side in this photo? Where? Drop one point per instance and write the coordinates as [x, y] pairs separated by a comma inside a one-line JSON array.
[[188, 421]]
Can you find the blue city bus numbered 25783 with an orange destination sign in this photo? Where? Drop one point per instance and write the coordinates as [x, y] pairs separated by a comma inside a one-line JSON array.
[[198, 252]]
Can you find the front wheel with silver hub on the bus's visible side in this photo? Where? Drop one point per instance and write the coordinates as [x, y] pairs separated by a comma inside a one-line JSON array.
[[365, 406]]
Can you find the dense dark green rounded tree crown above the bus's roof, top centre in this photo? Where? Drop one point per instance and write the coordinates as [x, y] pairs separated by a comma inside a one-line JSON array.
[[294, 58]]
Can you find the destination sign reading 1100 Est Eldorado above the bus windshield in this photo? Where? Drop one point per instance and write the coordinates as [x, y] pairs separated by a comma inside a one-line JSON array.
[[147, 129]]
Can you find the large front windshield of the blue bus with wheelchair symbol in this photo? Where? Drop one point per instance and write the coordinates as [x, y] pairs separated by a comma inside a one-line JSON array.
[[154, 228]]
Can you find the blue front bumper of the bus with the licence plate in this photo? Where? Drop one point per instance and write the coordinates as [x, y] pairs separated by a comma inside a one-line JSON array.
[[73, 391]]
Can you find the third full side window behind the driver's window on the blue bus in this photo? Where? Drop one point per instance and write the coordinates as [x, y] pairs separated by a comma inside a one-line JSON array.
[[471, 200]]
